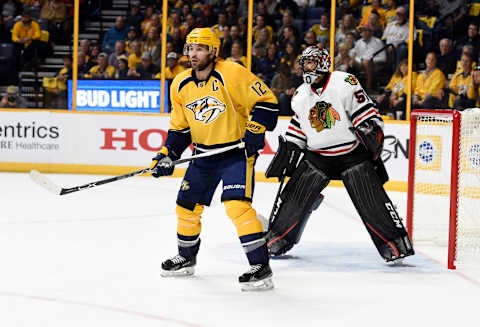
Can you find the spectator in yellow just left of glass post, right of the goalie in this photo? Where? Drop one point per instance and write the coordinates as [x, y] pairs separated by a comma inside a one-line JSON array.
[[393, 101]]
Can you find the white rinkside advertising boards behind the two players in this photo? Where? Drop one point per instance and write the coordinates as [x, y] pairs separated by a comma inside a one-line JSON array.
[[115, 140]]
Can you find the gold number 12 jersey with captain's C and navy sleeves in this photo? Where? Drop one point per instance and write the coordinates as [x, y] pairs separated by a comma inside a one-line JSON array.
[[215, 111]]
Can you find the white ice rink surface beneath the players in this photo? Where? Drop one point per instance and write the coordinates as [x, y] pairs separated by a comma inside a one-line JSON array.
[[93, 258]]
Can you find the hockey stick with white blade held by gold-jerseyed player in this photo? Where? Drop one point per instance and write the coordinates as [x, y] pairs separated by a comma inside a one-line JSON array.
[[46, 183]]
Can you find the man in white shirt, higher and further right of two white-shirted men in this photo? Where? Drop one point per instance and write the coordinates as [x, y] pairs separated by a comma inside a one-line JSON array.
[[397, 34]]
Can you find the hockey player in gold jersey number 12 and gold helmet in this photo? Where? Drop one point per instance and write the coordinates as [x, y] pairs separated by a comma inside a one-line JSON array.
[[217, 104]]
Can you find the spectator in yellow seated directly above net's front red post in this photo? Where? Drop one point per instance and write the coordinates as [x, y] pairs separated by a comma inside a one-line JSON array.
[[461, 94]]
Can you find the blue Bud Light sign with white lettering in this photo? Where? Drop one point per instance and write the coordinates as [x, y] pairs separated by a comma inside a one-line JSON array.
[[141, 96]]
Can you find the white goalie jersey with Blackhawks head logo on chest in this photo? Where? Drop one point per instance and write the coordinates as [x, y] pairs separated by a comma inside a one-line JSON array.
[[323, 118]]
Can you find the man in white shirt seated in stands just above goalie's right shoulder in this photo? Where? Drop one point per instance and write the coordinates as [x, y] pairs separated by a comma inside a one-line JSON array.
[[363, 53]]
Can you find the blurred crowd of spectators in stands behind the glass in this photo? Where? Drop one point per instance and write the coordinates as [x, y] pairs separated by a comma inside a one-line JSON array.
[[370, 41]]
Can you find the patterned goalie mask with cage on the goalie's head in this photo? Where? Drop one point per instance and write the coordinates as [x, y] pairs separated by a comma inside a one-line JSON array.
[[322, 63]]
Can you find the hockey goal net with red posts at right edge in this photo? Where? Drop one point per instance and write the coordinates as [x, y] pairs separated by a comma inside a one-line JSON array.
[[443, 207]]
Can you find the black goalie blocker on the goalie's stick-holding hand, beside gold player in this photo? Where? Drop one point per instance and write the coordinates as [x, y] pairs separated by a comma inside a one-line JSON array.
[[285, 160]]
